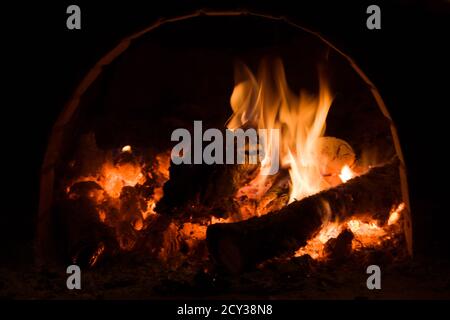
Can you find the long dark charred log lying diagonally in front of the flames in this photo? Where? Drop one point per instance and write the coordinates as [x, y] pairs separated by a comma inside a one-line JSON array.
[[240, 246]]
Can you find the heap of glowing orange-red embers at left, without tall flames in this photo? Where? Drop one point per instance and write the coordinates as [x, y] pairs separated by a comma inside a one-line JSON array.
[[115, 191]]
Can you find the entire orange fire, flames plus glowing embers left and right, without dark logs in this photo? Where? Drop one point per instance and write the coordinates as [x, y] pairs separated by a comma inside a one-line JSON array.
[[126, 190]]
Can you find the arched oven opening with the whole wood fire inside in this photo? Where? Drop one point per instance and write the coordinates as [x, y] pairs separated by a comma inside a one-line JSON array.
[[111, 192]]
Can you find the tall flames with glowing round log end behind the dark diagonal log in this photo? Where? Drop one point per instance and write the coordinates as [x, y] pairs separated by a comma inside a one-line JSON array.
[[314, 162]]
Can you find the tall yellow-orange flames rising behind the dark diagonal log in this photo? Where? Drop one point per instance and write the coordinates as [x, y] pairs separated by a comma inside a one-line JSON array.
[[266, 102]]
